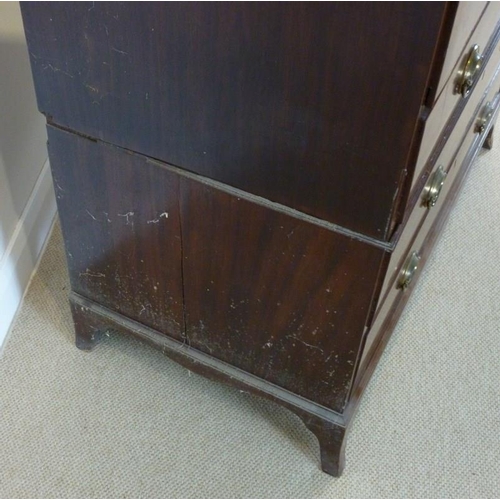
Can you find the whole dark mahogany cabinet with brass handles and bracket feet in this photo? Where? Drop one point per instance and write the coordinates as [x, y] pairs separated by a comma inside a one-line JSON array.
[[254, 188]]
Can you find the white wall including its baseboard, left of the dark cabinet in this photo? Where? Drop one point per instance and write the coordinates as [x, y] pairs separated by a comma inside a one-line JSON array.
[[27, 204]]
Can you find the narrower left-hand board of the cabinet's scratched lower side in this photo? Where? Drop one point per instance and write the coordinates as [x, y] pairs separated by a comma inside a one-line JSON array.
[[120, 220]]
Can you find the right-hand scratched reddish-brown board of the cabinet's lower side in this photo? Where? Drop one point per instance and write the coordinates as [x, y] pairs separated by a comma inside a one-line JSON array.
[[278, 297]]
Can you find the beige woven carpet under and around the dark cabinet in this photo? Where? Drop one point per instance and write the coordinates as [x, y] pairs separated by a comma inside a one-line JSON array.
[[125, 422]]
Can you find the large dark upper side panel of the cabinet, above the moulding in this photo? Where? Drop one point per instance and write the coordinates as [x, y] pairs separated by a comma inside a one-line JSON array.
[[312, 105]]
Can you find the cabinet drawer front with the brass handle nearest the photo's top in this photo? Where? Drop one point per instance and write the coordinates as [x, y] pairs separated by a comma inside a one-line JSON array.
[[448, 106]]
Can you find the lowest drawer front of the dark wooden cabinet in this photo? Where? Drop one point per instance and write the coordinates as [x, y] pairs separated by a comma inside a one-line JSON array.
[[429, 226]]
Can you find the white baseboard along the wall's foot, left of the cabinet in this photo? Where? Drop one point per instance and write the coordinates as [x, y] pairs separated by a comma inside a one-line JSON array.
[[25, 247]]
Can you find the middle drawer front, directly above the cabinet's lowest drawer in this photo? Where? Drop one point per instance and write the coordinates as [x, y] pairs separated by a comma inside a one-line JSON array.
[[447, 161]]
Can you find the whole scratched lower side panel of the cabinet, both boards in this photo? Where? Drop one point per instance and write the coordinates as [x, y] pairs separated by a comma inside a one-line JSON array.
[[268, 292]]
